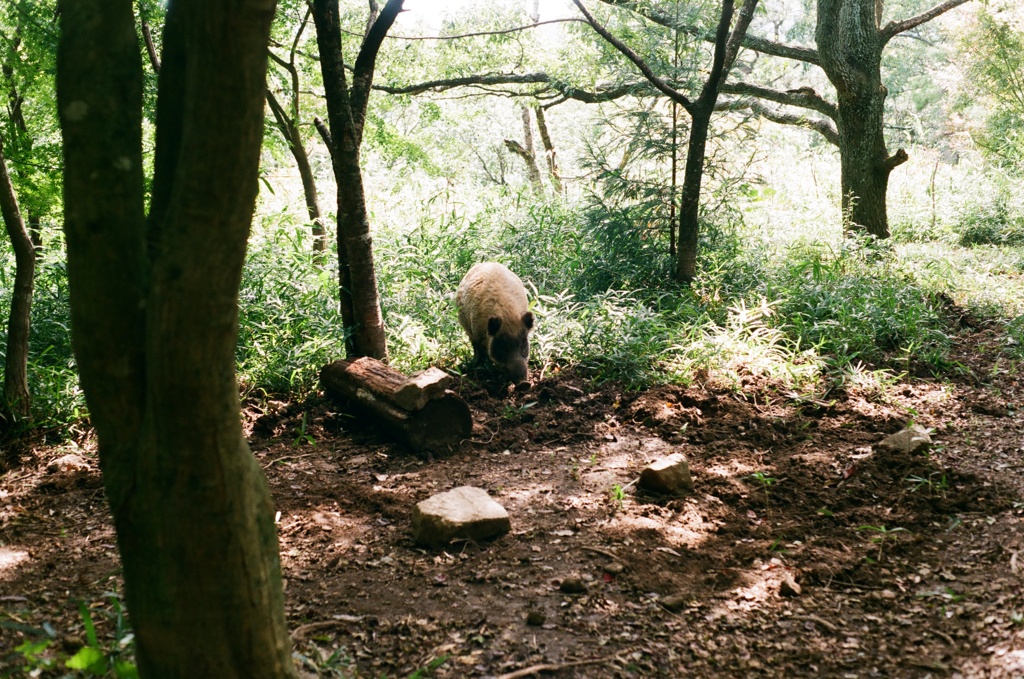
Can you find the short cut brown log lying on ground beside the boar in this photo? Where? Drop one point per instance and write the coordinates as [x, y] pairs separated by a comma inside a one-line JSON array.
[[418, 410]]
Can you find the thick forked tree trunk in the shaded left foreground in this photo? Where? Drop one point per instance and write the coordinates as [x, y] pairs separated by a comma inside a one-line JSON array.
[[155, 345]]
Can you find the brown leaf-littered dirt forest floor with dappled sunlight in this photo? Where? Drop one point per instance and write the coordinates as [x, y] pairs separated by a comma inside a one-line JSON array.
[[908, 567]]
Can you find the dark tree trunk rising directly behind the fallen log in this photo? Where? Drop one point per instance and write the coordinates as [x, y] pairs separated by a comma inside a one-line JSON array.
[[358, 277]]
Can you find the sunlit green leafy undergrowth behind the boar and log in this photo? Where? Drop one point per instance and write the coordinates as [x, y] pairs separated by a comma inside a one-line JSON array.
[[802, 314]]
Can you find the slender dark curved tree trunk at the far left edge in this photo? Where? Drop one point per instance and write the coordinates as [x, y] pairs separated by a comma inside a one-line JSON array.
[[17, 399]]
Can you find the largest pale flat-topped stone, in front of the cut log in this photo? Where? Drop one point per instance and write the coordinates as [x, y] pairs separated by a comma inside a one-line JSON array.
[[463, 514]]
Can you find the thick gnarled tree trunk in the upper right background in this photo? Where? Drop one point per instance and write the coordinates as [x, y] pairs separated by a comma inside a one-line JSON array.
[[850, 49]]
